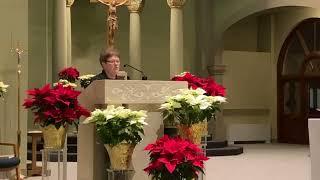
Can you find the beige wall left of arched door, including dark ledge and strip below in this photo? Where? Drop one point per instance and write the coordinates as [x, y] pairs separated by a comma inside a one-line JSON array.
[[248, 88]]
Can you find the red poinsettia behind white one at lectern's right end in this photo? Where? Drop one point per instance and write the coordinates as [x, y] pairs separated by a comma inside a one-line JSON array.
[[208, 84]]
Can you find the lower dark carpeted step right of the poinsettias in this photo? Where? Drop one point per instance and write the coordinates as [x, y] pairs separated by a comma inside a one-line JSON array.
[[226, 151]]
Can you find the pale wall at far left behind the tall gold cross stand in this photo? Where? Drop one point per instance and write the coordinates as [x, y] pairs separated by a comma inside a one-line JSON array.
[[13, 19]]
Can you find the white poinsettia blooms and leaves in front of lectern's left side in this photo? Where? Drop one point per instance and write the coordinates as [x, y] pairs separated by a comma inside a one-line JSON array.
[[118, 125]]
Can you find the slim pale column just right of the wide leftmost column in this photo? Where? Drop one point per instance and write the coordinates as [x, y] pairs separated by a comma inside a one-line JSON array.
[[69, 40]]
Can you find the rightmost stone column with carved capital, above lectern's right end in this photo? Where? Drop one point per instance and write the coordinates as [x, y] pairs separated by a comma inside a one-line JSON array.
[[176, 36]]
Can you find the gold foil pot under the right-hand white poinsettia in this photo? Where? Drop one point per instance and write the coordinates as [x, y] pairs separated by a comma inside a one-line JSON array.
[[192, 133]]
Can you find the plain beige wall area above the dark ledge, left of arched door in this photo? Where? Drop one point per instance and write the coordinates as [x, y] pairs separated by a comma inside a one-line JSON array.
[[248, 87]]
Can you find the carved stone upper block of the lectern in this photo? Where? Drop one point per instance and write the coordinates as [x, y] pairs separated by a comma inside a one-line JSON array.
[[134, 91]]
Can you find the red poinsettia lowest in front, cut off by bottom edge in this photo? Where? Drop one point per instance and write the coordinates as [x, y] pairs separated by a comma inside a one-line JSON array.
[[174, 159]]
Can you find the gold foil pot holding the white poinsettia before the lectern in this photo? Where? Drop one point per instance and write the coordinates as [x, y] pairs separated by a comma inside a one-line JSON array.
[[120, 155]]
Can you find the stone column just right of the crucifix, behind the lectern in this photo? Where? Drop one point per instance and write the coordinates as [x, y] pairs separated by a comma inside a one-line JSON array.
[[135, 7]]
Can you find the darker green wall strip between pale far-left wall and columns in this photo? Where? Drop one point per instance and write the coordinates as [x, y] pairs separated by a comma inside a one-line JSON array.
[[39, 46]]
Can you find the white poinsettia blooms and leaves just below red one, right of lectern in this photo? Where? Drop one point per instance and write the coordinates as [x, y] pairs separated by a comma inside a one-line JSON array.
[[190, 106]]
